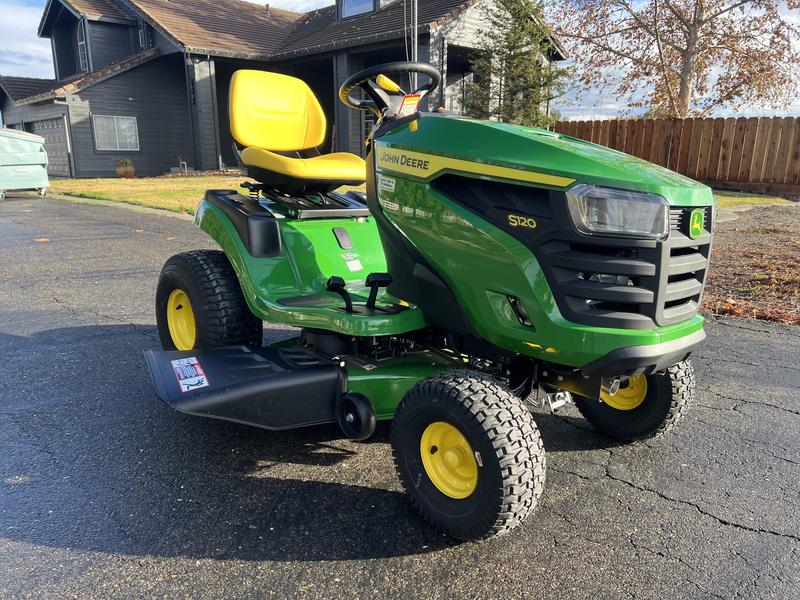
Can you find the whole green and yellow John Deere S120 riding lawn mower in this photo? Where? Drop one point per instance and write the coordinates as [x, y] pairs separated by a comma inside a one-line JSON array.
[[487, 267]]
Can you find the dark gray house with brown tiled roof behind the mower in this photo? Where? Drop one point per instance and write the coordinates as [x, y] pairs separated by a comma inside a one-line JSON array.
[[148, 79]]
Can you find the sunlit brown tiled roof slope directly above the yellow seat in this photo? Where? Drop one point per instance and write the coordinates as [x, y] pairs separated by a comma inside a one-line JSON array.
[[222, 27]]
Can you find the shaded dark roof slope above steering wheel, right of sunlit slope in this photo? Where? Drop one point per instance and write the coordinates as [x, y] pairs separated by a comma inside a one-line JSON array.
[[319, 29]]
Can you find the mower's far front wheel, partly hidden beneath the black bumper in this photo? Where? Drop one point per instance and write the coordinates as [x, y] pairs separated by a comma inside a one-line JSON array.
[[645, 406]]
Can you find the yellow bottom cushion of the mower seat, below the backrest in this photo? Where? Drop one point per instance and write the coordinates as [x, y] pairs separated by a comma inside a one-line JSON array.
[[339, 166]]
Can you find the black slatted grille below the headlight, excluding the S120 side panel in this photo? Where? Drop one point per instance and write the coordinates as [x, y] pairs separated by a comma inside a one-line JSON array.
[[612, 282]]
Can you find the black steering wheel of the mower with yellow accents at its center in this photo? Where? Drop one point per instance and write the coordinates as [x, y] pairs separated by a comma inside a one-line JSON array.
[[385, 96]]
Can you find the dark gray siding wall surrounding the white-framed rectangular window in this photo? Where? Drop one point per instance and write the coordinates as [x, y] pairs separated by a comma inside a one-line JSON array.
[[155, 94]]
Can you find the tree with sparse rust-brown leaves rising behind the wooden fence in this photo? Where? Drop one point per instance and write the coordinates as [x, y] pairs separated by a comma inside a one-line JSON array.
[[682, 57]]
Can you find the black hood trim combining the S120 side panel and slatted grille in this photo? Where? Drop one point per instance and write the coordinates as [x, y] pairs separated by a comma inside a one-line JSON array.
[[601, 281]]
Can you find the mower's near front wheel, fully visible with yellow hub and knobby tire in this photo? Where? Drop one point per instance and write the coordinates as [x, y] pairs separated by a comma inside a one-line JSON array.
[[469, 455]]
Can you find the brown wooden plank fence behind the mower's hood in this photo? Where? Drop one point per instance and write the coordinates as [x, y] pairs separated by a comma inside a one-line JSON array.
[[750, 154]]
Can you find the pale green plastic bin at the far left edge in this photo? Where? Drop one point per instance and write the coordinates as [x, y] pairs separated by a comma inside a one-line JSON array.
[[23, 162]]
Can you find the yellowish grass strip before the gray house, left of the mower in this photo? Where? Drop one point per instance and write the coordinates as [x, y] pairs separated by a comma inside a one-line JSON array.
[[179, 194]]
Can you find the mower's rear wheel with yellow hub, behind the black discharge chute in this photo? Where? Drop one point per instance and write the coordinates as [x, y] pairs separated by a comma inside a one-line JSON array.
[[199, 304]]
